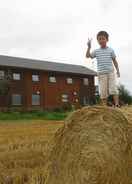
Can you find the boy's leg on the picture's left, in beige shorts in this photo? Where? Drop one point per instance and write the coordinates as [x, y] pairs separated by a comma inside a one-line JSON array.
[[103, 88]]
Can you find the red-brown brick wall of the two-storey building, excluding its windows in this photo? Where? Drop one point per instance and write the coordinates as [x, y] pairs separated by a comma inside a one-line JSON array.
[[50, 92]]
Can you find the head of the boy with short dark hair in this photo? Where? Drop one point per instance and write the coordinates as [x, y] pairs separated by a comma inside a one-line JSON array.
[[102, 38]]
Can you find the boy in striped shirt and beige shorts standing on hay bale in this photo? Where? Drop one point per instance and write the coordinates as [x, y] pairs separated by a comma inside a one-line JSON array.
[[105, 59]]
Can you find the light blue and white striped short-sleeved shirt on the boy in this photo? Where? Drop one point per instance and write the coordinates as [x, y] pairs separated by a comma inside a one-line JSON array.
[[104, 58]]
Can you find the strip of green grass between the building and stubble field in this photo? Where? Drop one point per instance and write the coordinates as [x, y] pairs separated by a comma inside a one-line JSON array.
[[33, 115]]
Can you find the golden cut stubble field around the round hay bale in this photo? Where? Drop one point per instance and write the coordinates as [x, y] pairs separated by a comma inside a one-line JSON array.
[[23, 148]]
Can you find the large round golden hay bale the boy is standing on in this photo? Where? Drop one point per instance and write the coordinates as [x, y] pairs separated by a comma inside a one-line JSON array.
[[92, 148]]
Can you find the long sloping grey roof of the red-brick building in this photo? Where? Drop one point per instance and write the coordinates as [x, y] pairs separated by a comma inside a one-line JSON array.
[[44, 65]]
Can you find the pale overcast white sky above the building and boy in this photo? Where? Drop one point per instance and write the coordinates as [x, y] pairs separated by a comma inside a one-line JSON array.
[[58, 30]]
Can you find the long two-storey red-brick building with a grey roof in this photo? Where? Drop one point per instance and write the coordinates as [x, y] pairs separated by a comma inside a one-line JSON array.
[[36, 84]]
